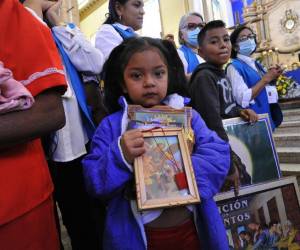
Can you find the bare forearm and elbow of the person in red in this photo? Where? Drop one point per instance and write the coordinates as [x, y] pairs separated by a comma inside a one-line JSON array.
[[45, 116]]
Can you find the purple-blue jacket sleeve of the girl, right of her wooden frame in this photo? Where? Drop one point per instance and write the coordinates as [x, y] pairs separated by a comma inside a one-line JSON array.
[[210, 158]]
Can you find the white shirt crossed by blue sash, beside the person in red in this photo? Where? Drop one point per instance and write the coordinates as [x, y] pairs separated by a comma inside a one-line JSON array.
[[72, 138]]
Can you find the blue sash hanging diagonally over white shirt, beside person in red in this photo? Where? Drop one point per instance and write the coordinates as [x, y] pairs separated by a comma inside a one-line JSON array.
[[77, 85]]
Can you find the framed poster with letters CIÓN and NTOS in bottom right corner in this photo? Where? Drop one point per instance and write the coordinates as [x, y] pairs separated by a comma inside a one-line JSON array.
[[263, 216]]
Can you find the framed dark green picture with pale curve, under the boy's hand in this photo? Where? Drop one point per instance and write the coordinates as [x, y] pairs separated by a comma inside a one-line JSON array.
[[254, 150]]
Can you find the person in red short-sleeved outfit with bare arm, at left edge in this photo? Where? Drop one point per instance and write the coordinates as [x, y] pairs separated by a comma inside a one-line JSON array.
[[26, 206]]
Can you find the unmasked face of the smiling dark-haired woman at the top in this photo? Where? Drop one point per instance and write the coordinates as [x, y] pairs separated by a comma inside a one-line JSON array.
[[131, 13]]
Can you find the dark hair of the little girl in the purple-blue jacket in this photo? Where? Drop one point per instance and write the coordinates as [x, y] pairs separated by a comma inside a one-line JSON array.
[[119, 58]]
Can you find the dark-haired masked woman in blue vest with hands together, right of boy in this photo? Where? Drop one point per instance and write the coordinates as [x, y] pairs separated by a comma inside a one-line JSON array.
[[251, 83]]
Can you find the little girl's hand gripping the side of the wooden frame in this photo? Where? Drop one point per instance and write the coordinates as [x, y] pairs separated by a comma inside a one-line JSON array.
[[132, 144]]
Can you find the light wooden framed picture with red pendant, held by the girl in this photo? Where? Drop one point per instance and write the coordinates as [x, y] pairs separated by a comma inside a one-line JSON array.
[[164, 174]]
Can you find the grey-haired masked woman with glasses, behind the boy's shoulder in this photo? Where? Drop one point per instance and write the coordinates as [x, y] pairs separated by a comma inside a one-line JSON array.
[[189, 28]]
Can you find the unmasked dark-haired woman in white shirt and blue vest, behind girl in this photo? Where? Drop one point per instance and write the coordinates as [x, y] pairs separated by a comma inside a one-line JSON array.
[[124, 18]]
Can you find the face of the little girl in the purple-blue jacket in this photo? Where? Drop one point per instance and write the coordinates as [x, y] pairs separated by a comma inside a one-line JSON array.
[[146, 78]]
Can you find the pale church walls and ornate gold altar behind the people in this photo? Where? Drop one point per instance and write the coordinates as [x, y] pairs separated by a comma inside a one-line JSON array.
[[276, 23]]
